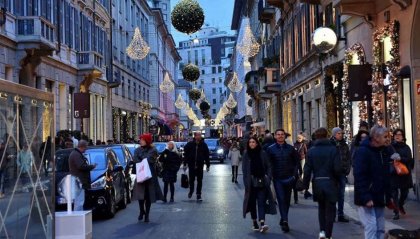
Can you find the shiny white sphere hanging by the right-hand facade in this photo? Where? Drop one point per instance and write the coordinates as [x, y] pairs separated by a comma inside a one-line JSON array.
[[324, 39]]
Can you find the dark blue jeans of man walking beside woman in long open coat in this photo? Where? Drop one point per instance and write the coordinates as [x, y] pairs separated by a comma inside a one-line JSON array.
[[283, 188]]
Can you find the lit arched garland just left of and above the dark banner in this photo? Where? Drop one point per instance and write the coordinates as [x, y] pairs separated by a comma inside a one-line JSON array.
[[348, 56]]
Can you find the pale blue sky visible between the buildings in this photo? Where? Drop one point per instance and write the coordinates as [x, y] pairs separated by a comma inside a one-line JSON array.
[[216, 12]]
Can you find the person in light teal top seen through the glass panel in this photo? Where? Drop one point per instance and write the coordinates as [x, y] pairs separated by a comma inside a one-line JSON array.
[[24, 163]]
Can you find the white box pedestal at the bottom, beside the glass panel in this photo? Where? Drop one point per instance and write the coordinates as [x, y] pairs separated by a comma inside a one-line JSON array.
[[77, 225]]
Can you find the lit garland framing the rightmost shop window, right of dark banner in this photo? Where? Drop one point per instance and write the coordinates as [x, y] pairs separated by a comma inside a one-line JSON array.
[[392, 31]]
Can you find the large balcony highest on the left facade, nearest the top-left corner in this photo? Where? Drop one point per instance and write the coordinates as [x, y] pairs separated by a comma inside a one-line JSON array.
[[35, 32]]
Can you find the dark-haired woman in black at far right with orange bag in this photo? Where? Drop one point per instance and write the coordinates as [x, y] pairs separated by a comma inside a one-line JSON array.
[[401, 184]]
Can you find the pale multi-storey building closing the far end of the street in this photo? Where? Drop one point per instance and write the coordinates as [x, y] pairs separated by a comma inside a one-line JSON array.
[[210, 51]]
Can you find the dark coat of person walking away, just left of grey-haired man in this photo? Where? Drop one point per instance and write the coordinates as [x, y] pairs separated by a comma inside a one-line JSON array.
[[323, 162]]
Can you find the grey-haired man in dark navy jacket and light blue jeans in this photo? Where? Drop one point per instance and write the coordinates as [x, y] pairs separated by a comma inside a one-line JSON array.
[[372, 182]]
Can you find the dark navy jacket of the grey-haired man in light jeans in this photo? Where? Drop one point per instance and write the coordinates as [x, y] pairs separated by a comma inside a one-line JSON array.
[[371, 175]]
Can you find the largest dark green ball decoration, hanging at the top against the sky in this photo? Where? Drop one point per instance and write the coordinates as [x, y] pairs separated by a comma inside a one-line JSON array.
[[187, 16]]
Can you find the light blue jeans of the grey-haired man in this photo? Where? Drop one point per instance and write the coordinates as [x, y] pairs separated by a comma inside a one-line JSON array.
[[373, 221]]
